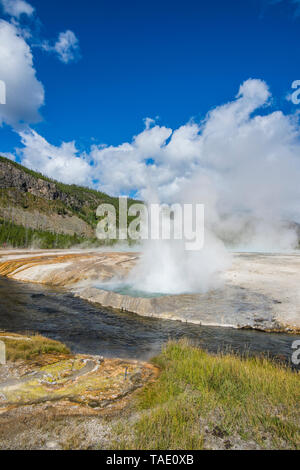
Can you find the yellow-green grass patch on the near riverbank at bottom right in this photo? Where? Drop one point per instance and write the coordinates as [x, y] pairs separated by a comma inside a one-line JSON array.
[[197, 394]]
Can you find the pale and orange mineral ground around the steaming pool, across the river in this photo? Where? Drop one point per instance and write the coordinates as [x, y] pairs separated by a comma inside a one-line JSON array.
[[260, 291]]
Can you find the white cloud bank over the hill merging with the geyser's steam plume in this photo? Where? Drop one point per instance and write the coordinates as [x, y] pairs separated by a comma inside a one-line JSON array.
[[243, 164]]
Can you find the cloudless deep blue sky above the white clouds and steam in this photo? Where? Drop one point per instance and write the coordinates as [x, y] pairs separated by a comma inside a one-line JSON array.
[[170, 59]]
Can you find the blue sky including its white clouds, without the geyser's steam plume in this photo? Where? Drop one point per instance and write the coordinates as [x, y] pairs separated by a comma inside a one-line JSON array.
[[171, 61]]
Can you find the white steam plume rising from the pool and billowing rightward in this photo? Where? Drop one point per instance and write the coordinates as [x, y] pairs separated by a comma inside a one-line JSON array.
[[245, 168]]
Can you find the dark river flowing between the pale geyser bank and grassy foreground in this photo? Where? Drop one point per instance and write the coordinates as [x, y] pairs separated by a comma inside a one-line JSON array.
[[85, 328]]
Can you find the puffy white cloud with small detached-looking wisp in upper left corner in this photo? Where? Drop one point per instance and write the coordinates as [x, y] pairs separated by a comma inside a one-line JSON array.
[[24, 93]]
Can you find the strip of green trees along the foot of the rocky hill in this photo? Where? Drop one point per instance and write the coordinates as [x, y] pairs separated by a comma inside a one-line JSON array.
[[17, 236]]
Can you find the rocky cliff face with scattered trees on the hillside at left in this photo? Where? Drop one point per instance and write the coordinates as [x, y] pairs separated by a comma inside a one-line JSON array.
[[32, 201]]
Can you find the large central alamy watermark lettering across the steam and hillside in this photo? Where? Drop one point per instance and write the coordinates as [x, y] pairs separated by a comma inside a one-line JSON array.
[[152, 222]]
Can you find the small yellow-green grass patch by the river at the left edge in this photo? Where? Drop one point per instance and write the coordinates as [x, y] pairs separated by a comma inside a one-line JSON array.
[[29, 347]]
